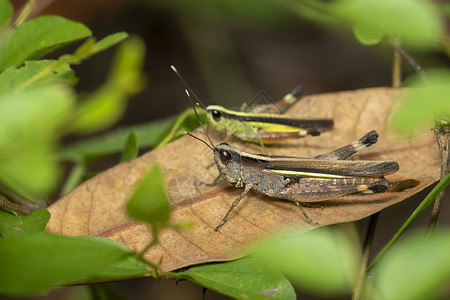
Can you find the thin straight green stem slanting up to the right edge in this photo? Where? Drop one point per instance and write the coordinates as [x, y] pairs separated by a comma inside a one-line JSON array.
[[421, 208]]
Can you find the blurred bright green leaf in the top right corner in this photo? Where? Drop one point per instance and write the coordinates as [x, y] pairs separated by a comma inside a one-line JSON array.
[[416, 22]]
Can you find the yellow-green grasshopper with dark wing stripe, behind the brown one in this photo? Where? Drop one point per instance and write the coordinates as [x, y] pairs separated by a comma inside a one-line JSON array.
[[262, 127]]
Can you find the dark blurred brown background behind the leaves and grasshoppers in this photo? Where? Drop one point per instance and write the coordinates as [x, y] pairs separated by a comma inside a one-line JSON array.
[[228, 51]]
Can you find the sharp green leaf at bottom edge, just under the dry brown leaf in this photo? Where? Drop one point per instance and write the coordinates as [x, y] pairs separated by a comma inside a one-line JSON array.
[[246, 278]]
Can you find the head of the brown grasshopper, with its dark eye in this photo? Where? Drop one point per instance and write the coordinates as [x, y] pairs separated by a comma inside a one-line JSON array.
[[228, 161]]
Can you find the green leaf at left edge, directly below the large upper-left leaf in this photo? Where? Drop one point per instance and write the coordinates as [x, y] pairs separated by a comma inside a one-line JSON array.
[[34, 74]]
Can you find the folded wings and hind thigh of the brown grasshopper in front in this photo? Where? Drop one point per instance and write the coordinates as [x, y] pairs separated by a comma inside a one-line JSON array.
[[310, 180]]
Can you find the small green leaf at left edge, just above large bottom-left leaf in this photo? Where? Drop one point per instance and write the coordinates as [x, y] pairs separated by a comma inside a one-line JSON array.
[[12, 225]]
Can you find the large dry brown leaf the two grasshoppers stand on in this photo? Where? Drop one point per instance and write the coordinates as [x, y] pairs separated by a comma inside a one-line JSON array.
[[97, 207]]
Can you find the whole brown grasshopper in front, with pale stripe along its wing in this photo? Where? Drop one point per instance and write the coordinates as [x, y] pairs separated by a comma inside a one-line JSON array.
[[298, 179]]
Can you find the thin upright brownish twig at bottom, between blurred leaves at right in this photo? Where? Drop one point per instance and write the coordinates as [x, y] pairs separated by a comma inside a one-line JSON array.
[[367, 249]]
